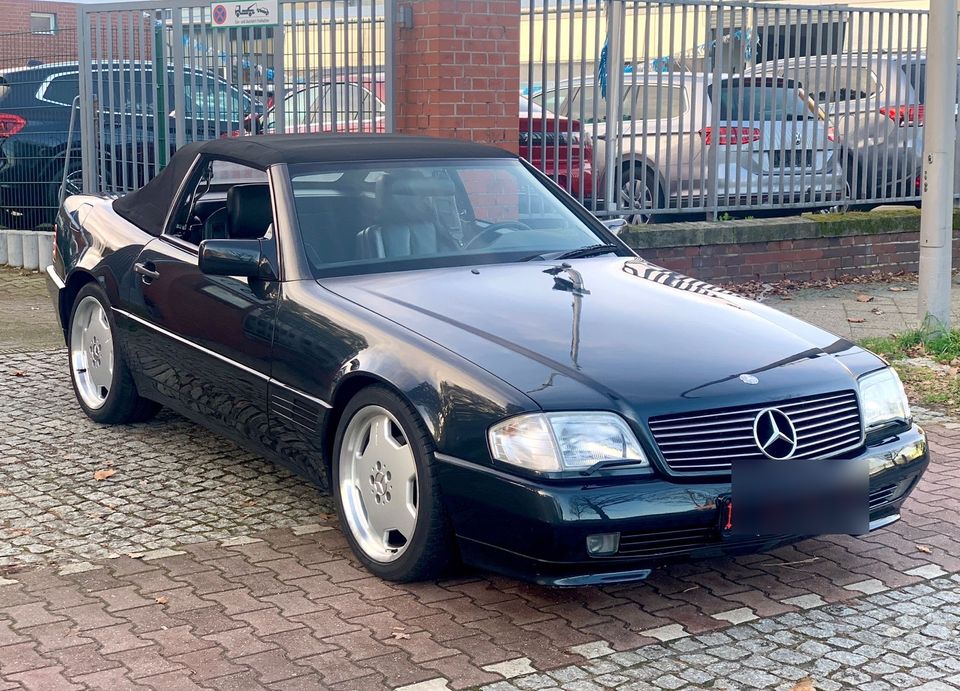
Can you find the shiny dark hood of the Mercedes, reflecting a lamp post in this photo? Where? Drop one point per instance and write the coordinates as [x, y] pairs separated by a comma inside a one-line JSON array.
[[612, 333]]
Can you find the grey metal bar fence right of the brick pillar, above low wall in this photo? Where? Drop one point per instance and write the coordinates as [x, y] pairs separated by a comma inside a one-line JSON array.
[[662, 109]]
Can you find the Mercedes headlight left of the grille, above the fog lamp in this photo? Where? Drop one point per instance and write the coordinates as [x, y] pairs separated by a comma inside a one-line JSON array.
[[549, 442]]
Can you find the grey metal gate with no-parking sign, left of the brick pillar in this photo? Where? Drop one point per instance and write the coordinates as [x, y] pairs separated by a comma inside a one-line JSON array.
[[155, 77]]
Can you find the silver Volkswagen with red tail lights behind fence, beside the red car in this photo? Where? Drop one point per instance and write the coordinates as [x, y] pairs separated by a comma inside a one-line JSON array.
[[686, 142]]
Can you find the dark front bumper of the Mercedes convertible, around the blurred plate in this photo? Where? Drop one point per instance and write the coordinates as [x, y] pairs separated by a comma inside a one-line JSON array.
[[537, 531]]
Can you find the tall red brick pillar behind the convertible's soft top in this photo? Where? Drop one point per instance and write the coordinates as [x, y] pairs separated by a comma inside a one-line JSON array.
[[458, 70]]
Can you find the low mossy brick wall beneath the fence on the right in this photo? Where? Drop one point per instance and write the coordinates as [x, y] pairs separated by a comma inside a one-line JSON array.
[[795, 248]]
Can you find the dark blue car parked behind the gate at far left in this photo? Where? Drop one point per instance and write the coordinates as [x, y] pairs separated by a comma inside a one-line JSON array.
[[35, 108]]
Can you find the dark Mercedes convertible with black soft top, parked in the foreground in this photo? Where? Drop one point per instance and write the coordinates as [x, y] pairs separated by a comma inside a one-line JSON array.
[[474, 366]]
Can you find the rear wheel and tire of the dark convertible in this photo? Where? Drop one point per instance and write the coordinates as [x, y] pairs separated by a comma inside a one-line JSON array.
[[101, 379]]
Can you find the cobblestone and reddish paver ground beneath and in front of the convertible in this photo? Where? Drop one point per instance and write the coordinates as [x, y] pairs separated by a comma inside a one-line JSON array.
[[198, 565]]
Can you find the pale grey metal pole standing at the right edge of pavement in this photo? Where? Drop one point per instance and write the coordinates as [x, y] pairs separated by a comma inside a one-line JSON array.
[[936, 222]]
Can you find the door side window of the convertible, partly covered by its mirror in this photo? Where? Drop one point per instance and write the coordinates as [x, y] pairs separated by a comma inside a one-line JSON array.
[[223, 200]]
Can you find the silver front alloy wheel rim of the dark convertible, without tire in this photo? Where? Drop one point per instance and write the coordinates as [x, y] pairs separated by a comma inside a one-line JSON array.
[[379, 490]]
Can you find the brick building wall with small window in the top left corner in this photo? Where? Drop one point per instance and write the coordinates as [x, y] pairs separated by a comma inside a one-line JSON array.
[[18, 45]]
